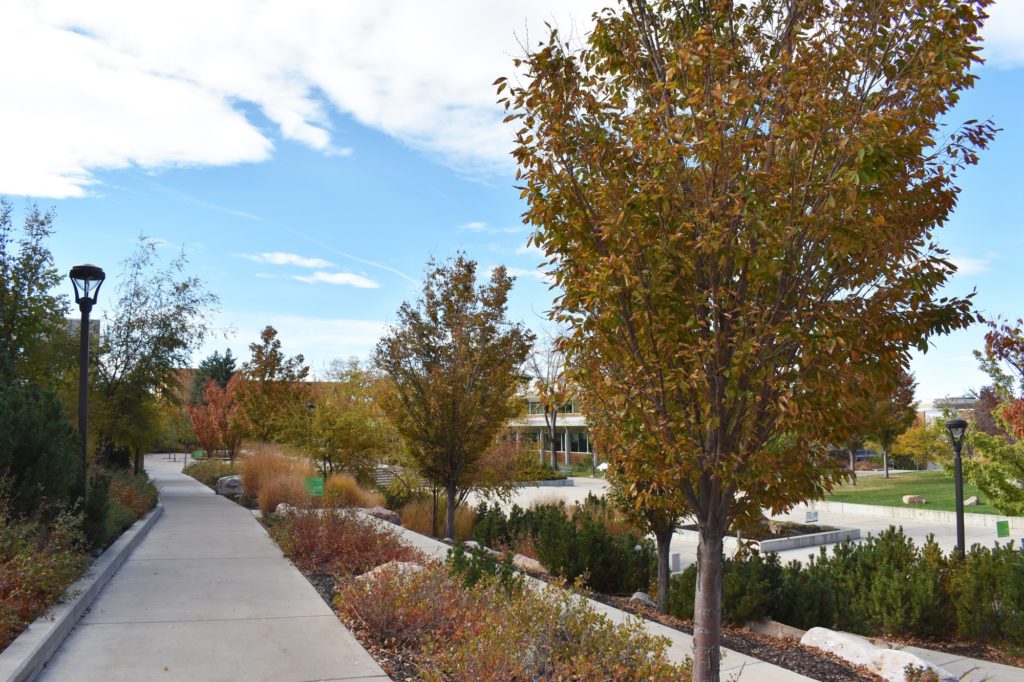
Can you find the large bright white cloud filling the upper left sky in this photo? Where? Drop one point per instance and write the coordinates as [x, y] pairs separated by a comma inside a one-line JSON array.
[[111, 84]]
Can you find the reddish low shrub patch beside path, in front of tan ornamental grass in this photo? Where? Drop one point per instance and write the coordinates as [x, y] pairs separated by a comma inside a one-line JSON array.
[[340, 543]]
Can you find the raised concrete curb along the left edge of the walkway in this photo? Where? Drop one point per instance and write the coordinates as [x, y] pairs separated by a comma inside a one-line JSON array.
[[25, 659]]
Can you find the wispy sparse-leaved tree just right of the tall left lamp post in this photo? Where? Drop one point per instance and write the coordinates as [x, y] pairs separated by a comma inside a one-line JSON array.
[[160, 318]]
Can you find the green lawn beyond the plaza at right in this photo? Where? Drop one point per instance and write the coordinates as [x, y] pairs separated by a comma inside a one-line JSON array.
[[933, 486]]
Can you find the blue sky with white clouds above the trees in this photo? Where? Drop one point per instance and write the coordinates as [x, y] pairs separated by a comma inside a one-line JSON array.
[[312, 157]]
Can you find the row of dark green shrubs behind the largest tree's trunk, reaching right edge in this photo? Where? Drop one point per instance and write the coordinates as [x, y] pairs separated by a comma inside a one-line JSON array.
[[886, 585]]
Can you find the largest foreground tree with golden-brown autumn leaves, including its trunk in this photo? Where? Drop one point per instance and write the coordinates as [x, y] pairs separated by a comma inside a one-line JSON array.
[[738, 201]]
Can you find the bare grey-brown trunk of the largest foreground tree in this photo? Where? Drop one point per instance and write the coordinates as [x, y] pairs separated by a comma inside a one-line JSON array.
[[708, 604]]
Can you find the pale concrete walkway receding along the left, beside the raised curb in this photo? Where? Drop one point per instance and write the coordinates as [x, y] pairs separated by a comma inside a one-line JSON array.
[[208, 596]]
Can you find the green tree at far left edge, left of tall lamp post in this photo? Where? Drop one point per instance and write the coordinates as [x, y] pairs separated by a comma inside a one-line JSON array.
[[34, 344]]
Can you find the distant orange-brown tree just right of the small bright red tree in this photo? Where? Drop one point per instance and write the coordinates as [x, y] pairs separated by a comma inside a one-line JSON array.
[[274, 396]]
